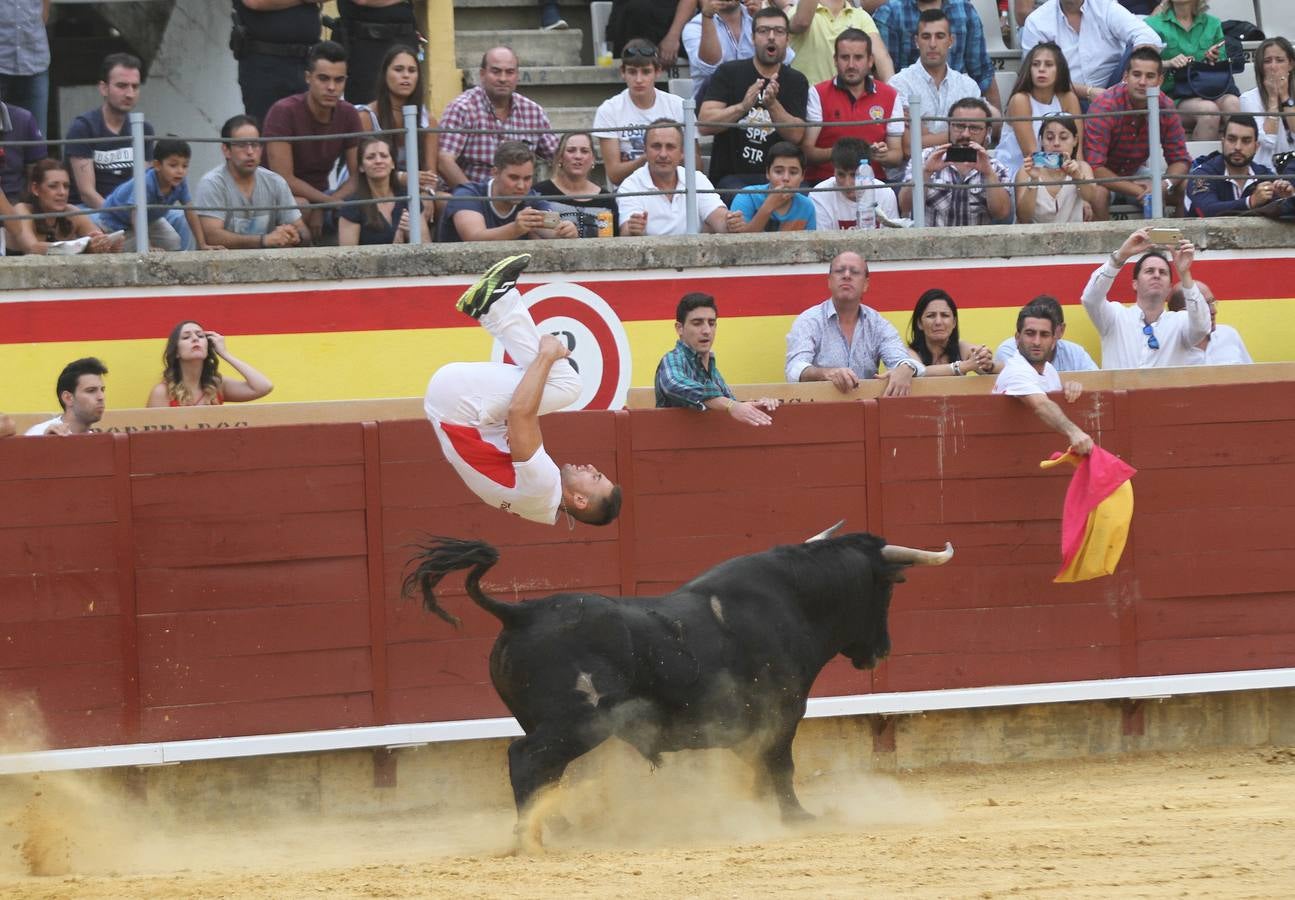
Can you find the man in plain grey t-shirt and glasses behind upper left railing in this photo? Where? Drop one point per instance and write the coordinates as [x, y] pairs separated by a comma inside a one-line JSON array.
[[242, 205]]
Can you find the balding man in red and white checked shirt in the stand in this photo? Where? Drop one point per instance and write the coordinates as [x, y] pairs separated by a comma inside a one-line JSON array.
[[494, 106]]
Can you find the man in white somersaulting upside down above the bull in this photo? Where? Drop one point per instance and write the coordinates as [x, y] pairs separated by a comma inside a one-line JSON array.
[[488, 415]]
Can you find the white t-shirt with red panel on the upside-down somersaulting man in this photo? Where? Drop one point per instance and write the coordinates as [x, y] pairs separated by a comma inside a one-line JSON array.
[[482, 459]]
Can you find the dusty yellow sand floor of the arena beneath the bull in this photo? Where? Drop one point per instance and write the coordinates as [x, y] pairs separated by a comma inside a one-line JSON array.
[[1187, 826]]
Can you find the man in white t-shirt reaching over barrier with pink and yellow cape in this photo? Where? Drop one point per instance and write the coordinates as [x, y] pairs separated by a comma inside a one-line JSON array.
[[1030, 376]]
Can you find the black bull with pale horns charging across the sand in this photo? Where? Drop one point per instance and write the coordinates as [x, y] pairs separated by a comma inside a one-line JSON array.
[[725, 661]]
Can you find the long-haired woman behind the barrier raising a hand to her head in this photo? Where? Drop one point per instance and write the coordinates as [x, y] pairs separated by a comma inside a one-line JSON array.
[[191, 372]]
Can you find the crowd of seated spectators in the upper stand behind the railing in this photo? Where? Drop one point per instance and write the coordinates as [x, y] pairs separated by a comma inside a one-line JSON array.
[[806, 106]]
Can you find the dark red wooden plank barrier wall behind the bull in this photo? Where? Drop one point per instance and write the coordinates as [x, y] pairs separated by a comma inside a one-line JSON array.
[[187, 585]]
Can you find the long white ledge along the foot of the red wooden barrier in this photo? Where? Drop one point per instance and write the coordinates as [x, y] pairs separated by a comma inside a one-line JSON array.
[[169, 753]]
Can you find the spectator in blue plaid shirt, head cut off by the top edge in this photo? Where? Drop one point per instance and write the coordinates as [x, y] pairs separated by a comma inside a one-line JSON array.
[[898, 24]]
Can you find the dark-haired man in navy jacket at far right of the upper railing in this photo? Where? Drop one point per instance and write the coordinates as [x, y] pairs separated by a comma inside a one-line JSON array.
[[1249, 185]]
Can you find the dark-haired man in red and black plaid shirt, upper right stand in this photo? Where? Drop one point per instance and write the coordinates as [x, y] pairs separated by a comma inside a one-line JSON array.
[[1117, 146]]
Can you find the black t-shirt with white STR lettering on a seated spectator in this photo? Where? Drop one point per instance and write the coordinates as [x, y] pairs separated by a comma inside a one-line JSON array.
[[740, 151]]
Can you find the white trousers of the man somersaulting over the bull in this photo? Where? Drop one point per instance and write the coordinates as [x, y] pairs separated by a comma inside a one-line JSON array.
[[477, 394]]
